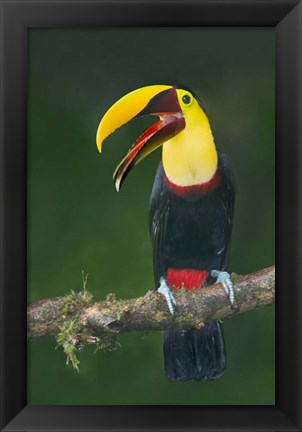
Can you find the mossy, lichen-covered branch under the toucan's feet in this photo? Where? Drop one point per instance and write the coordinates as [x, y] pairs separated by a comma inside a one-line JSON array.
[[76, 320]]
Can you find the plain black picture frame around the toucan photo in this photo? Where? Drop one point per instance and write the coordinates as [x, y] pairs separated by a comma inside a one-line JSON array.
[[16, 18]]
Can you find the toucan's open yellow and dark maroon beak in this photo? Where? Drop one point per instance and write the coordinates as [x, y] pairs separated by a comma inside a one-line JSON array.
[[157, 100]]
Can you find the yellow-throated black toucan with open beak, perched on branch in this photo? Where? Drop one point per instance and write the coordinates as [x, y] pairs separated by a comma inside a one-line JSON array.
[[191, 213]]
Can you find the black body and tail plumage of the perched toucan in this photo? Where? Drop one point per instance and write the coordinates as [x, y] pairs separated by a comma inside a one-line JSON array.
[[192, 231]]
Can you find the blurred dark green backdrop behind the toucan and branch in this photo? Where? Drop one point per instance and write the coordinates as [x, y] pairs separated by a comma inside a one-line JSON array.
[[76, 219]]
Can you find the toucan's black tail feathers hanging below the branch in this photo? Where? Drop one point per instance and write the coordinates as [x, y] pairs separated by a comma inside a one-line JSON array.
[[194, 354]]
